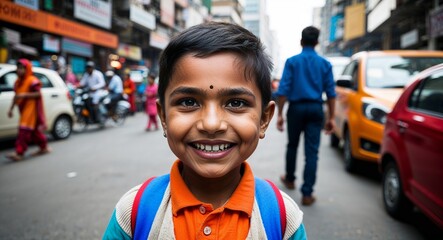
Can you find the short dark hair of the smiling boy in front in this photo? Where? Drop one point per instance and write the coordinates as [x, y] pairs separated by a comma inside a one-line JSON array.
[[207, 39]]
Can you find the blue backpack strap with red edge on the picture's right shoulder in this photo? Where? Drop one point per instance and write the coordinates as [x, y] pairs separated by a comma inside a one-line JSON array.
[[272, 208]]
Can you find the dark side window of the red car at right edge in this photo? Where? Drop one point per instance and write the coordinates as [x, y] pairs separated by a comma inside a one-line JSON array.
[[428, 96]]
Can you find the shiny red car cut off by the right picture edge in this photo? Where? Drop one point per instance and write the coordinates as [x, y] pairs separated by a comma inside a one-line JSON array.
[[411, 159]]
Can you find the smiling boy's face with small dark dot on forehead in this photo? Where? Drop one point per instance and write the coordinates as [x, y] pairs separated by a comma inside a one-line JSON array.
[[213, 115]]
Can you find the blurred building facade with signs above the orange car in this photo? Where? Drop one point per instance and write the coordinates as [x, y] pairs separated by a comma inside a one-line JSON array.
[[360, 25]]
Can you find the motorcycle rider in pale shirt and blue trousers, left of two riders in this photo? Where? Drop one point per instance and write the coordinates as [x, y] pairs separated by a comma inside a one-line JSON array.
[[95, 82]]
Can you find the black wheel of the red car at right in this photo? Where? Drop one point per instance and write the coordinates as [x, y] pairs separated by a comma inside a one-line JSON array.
[[396, 203]]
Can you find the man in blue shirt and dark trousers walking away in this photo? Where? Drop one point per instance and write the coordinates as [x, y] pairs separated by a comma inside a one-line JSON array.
[[305, 77]]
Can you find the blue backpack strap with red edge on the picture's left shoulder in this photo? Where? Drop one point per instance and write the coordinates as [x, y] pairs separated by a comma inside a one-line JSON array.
[[149, 202]]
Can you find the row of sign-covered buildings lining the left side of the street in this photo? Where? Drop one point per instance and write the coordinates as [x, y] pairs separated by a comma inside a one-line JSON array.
[[124, 34]]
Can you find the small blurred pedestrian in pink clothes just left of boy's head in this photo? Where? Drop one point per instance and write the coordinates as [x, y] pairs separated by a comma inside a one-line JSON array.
[[151, 102]]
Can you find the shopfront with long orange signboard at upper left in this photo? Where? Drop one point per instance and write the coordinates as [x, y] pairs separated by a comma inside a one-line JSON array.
[[48, 36]]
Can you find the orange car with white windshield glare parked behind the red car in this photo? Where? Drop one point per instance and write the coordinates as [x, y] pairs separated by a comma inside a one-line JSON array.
[[366, 92]]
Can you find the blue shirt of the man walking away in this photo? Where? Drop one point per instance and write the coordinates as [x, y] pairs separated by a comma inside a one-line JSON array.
[[306, 76]]
